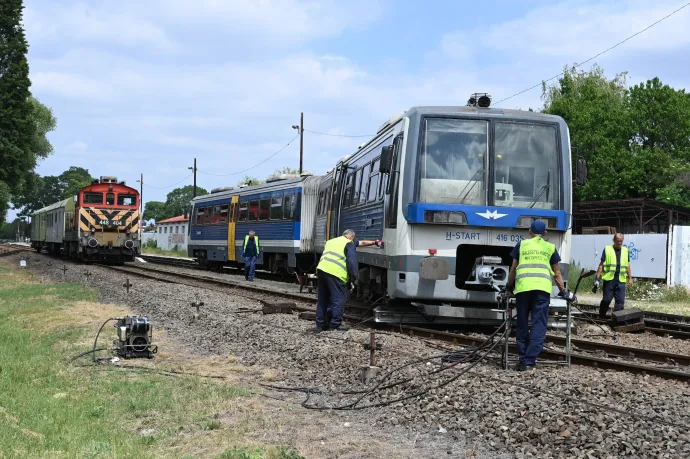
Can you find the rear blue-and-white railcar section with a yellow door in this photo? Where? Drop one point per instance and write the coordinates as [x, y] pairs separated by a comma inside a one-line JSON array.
[[280, 212]]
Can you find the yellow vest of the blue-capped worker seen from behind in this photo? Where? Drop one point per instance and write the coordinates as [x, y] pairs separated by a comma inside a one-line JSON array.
[[534, 268]]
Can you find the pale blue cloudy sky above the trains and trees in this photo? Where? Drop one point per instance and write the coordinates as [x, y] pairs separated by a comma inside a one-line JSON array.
[[146, 87]]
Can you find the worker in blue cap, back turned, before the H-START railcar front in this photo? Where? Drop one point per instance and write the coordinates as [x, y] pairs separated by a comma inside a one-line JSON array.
[[535, 268]]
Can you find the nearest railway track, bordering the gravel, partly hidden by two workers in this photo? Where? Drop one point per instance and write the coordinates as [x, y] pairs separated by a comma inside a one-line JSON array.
[[588, 353]]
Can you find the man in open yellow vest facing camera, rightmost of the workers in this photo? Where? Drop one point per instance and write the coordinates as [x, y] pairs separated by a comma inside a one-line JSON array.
[[615, 266]]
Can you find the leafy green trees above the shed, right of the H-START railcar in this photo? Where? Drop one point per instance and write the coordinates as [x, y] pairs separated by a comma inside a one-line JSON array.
[[636, 141]]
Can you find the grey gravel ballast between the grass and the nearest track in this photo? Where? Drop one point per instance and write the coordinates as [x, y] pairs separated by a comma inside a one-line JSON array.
[[552, 412]]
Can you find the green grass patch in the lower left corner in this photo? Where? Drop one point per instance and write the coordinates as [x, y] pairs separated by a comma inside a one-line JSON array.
[[50, 409]]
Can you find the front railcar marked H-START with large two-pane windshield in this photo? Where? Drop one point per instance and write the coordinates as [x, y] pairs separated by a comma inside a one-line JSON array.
[[450, 191]]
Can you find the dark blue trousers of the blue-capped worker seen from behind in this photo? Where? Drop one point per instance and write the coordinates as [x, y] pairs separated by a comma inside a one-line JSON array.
[[531, 341]]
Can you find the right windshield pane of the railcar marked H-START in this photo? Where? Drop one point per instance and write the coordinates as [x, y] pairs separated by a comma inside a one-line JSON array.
[[526, 169]]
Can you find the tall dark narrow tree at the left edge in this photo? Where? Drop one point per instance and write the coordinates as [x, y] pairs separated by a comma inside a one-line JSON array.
[[17, 132]]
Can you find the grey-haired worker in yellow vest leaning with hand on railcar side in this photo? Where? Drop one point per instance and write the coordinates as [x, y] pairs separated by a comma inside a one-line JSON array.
[[337, 269]]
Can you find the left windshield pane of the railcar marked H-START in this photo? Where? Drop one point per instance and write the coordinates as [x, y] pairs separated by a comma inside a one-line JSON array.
[[453, 162]]
